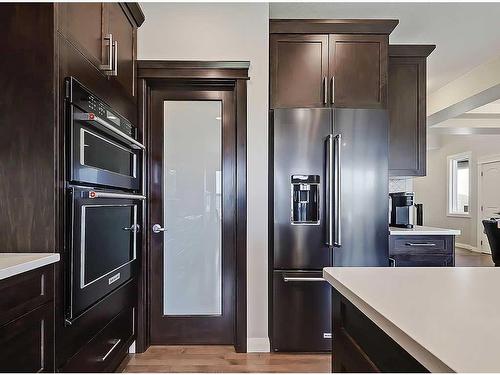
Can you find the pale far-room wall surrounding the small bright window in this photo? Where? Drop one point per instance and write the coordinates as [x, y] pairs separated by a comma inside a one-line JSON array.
[[431, 190]]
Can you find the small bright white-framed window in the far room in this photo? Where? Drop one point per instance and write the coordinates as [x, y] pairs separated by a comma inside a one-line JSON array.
[[459, 184]]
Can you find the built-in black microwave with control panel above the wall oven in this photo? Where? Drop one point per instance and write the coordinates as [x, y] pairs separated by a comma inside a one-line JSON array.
[[102, 148]]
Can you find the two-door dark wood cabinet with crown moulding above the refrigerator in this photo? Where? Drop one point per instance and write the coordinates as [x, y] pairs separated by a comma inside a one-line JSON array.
[[341, 63]]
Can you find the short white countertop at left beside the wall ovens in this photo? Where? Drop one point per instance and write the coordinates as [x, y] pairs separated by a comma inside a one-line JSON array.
[[12, 264]]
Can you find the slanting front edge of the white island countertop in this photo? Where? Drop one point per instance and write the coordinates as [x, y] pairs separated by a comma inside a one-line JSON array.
[[417, 351]]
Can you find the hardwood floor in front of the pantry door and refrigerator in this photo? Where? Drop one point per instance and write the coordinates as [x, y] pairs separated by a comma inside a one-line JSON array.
[[222, 359]]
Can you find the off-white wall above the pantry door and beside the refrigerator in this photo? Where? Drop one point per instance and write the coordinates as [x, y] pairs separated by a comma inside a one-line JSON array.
[[227, 31]]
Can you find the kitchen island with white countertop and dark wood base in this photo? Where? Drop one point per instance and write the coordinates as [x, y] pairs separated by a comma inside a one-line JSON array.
[[415, 319]]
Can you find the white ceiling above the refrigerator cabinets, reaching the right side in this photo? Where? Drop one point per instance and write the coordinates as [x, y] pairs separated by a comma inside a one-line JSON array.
[[466, 34]]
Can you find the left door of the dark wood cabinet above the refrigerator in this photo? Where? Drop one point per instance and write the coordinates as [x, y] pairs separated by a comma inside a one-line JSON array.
[[298, 70]]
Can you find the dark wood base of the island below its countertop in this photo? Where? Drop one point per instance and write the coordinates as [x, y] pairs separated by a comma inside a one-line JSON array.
[[359, 345]]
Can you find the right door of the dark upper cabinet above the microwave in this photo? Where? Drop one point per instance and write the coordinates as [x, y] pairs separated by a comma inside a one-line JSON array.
[[124, 32]]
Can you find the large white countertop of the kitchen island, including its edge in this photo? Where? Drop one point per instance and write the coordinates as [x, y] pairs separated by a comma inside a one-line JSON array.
[[447, 318]]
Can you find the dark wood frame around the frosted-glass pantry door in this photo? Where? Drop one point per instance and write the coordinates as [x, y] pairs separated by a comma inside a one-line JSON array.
[[231, 75]]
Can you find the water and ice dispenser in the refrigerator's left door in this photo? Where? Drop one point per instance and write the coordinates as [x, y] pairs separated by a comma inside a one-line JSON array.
[[305, 199]]
